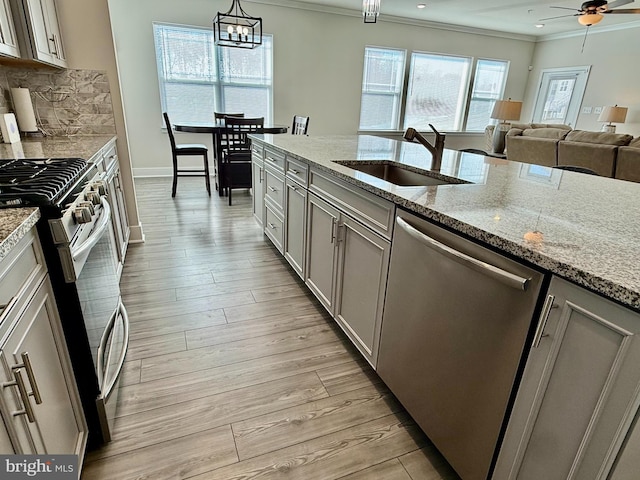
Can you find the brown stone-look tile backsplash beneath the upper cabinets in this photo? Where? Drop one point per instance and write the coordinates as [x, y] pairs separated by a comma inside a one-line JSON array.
[[65, 102]]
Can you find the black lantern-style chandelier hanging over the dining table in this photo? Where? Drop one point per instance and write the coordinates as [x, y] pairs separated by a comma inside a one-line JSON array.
[[235, 28]]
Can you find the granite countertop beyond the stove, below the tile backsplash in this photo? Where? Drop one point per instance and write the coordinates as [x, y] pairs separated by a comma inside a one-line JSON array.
[[55, 147]]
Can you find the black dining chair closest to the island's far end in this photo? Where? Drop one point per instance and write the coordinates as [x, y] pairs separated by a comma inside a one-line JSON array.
[[235, 158]]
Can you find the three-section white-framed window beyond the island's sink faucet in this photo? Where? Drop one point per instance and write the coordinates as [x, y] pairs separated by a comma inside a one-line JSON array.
[[441, 91]]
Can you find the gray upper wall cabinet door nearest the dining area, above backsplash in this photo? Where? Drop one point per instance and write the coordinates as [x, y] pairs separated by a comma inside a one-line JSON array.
[[38, 31]]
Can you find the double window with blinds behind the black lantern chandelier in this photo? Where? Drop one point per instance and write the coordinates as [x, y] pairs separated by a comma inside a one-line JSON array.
[[197, 78]]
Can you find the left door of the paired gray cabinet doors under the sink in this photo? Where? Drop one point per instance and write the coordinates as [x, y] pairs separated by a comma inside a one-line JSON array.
[[321, 254]]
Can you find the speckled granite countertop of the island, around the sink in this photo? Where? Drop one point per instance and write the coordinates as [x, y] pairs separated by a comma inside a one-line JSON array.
[[587, 228]]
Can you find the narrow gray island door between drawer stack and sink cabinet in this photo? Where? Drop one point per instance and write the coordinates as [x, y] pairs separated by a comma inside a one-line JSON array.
[[295, 225]]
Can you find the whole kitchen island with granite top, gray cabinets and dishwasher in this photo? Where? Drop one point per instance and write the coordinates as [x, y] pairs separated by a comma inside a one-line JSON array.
[[559, 369]]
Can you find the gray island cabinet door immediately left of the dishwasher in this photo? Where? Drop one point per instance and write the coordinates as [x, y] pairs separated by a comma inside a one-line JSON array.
[[361, 282]]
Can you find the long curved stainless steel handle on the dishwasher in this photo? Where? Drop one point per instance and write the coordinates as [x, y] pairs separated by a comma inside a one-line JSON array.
[[508, 278]]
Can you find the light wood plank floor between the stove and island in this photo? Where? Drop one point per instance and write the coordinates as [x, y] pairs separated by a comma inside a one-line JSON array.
[[235, 371]]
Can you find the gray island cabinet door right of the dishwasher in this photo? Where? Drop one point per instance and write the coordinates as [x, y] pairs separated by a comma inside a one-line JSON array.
[[579, 392]]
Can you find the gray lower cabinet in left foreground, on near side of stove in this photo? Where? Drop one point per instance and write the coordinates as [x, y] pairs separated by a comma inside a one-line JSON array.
[[39, 402]]
